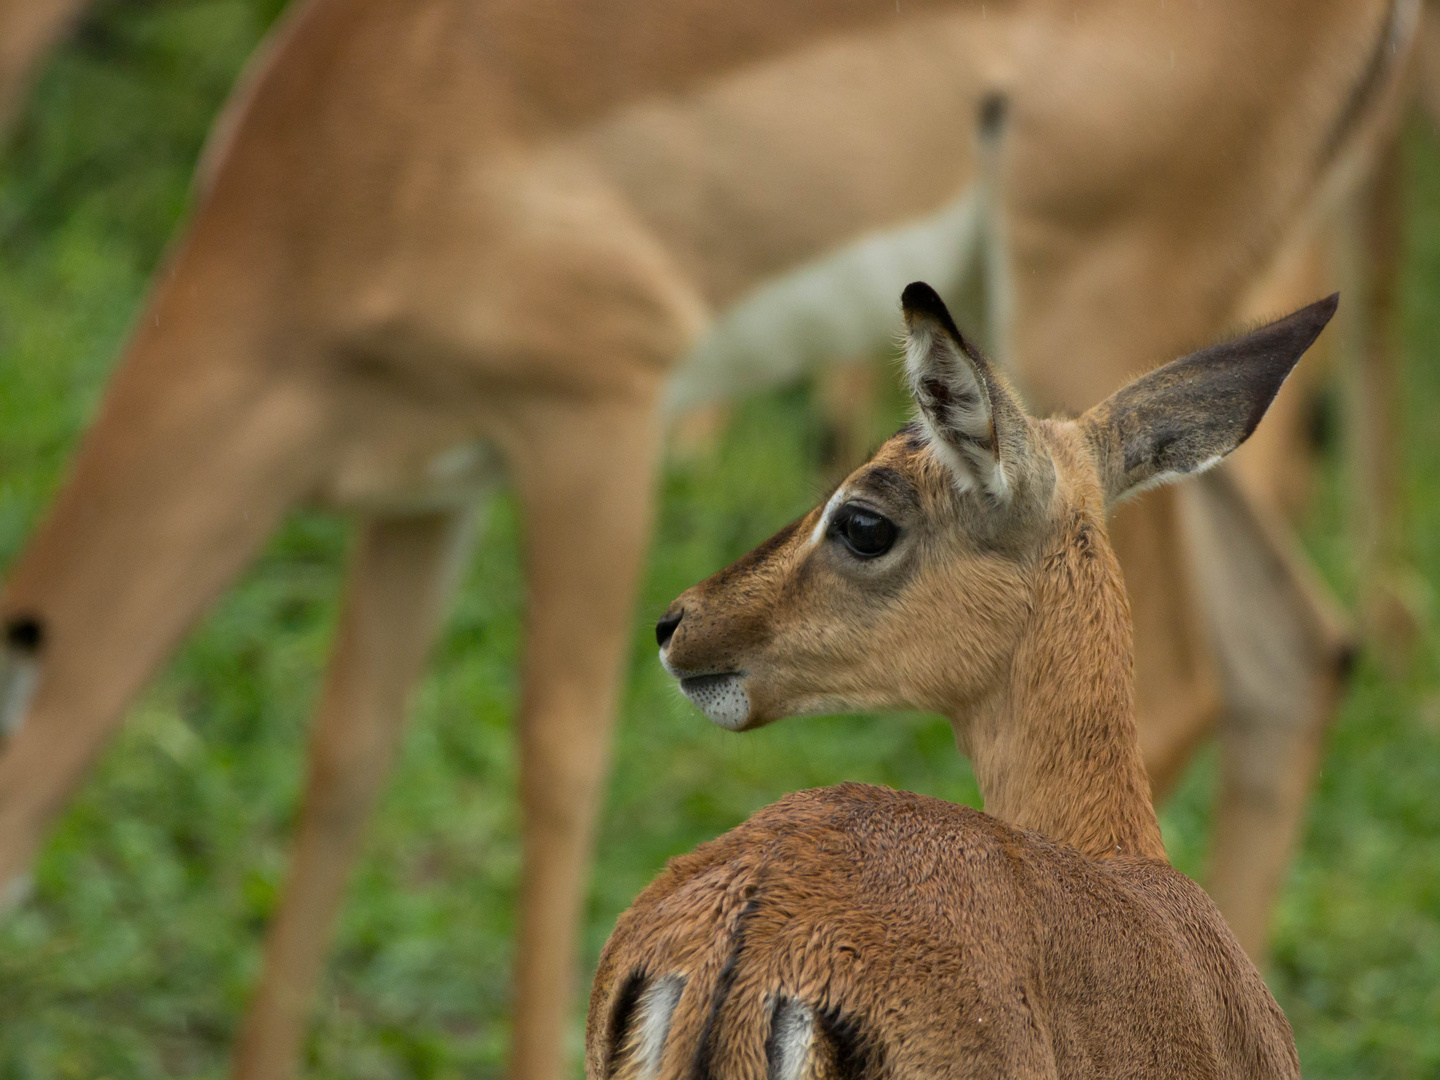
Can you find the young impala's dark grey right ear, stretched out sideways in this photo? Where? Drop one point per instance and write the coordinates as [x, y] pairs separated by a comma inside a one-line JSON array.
[[1189, 415]]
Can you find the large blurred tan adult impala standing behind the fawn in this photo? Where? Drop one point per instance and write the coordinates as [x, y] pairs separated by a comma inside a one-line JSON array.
[[437, 235]]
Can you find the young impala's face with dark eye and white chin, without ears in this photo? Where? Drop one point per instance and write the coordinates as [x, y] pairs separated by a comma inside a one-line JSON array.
[[826, 616]]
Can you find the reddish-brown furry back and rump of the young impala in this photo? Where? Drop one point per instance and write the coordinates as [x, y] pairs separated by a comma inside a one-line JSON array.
[[940, 942]]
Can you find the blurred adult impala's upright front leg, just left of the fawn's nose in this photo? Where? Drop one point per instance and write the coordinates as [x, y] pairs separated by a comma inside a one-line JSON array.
[[585, 482]]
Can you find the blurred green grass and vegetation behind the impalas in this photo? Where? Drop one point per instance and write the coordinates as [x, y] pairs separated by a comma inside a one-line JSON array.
[[138, 950]]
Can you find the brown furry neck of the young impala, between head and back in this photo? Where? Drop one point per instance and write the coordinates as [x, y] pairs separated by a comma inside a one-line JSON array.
[[1056, 751]]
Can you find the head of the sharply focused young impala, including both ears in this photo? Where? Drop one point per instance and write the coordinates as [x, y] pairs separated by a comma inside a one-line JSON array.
[[918, 580]]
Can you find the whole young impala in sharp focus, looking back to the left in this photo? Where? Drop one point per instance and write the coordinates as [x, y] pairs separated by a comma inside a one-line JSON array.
[[860, 932]]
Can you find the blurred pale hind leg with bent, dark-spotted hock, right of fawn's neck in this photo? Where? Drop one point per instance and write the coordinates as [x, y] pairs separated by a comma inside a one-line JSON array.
[[1284, 653]]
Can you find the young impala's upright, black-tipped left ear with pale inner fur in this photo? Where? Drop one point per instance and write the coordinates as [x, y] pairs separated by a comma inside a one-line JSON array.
[[971, 417]]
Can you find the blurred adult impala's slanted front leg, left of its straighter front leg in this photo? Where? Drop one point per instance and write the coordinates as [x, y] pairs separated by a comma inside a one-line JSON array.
[[401, 575]]
